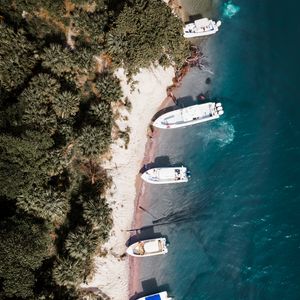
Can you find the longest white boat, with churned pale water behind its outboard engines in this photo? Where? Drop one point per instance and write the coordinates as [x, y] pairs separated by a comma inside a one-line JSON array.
[[190, 115]]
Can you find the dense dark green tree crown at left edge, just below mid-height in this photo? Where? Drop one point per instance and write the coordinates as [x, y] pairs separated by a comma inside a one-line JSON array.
[[23, 162]]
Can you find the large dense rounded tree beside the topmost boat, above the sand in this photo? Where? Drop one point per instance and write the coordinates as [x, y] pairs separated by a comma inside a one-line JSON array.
[[146, 32]]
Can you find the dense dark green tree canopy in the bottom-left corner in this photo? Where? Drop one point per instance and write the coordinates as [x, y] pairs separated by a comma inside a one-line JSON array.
[[24, 245]]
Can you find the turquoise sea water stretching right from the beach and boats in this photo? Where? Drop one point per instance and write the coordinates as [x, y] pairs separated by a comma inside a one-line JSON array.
[[234, 228]]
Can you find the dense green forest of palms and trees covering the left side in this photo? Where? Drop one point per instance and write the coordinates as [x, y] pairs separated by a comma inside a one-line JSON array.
[[57, 88]]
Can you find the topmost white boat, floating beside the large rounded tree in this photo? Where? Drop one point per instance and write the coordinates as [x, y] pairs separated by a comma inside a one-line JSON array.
[[201, 27]]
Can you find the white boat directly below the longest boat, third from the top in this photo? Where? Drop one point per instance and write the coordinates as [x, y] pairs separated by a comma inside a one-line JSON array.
[[166, 175]]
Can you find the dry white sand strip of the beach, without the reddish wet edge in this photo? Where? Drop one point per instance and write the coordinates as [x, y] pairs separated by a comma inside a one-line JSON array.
[[112, 273]]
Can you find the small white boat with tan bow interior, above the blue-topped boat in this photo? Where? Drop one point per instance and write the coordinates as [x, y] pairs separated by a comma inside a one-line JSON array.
[[147, 248]]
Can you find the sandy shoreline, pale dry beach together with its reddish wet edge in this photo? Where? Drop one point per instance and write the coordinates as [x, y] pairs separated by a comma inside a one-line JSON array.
[[154, 84]]
